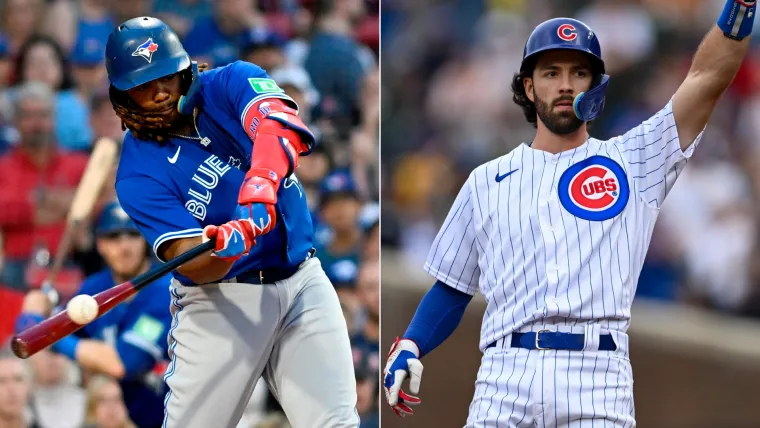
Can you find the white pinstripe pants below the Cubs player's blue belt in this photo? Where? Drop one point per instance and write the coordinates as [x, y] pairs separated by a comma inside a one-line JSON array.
[[547, 389]]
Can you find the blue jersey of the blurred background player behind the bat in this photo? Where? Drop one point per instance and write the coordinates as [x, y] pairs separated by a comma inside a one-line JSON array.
[[138, 330]]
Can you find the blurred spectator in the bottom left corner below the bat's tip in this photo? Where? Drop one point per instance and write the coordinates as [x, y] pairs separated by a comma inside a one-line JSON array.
[[15, 392]]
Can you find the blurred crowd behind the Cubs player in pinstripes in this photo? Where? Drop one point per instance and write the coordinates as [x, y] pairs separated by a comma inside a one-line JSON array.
[[447, 107]]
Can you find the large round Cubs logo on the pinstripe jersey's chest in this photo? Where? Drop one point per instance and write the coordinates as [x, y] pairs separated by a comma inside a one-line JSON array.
[[594, 189]]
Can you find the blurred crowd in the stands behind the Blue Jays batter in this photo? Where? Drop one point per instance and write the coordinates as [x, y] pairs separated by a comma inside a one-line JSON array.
[[54, 106]]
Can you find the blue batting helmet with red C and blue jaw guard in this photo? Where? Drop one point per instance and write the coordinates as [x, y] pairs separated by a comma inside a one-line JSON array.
[[570, 34]]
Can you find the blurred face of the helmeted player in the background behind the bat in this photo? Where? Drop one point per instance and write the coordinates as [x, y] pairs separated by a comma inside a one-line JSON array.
[[123, 252]]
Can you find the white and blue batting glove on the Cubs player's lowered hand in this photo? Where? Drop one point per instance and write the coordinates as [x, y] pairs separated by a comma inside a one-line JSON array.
[[403, 361]]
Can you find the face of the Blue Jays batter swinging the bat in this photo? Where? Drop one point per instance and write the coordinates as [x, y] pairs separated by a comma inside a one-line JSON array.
[[159, 96]]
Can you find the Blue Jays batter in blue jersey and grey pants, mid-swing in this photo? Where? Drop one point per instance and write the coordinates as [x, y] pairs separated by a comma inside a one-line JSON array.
[[211, 155]]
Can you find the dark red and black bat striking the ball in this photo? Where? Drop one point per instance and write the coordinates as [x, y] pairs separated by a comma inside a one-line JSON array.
[[46, 333]]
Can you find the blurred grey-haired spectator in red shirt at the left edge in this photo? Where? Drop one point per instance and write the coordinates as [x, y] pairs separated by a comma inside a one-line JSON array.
[[37, 181]]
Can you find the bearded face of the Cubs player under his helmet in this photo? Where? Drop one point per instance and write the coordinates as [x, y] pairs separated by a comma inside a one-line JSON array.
[[558, 78]]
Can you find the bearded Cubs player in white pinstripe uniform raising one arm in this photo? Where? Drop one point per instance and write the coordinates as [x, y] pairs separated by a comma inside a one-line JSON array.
[[554, 235]]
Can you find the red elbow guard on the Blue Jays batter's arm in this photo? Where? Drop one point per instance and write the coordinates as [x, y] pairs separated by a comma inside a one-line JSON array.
[[273, 126]]
